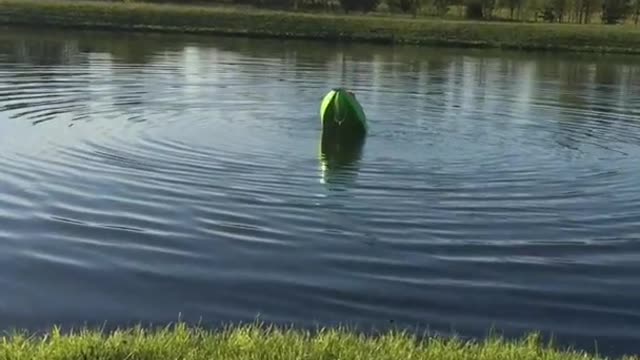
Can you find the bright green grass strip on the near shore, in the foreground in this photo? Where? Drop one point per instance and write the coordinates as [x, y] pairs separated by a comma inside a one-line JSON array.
[[256, 342]]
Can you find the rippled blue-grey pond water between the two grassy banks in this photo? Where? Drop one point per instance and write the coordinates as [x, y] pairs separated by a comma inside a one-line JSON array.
[[145, 177]]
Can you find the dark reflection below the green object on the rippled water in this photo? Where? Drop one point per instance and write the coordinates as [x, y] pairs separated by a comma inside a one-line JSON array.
[[340, 159]]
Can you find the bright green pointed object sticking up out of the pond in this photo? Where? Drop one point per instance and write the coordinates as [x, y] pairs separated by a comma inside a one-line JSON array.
[[342, 115]]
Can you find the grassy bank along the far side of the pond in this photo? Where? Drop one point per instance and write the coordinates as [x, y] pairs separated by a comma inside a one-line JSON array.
[[235, 21]]
